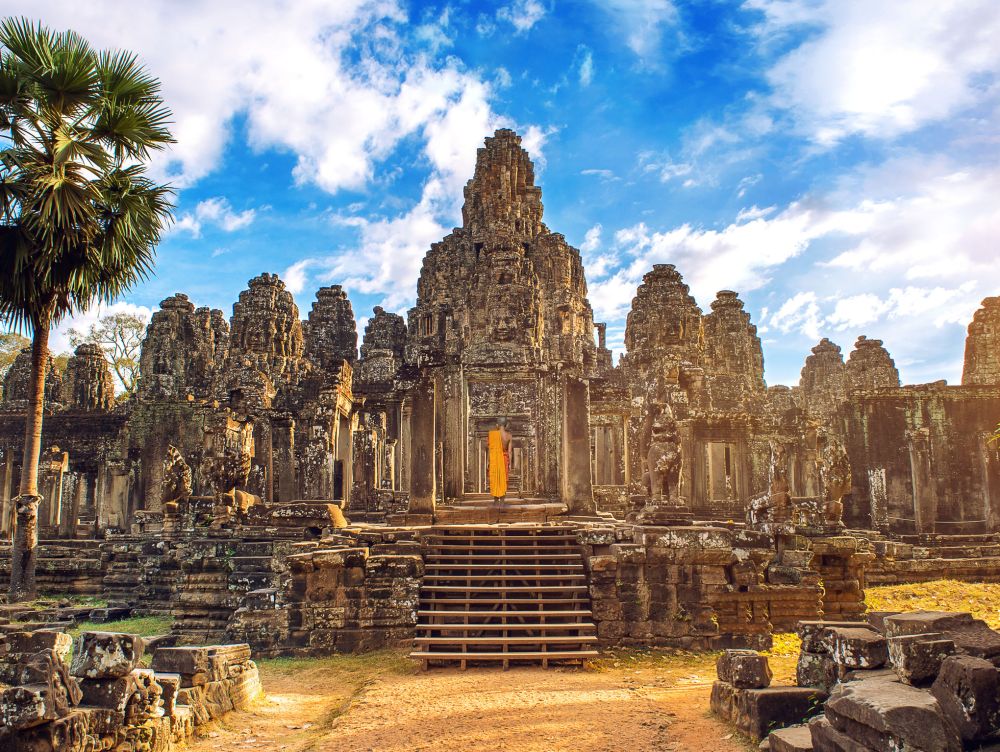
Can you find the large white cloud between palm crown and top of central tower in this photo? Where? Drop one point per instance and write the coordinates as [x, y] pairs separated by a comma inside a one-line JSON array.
[[342, 90]]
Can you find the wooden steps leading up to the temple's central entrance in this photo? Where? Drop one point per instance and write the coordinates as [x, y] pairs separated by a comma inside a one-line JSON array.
[[503, 594]]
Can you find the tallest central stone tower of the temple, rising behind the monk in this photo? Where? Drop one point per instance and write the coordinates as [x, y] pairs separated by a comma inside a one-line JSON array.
[[502, 328]]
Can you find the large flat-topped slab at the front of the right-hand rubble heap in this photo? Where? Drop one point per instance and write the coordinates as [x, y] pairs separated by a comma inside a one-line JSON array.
[[889, 715]]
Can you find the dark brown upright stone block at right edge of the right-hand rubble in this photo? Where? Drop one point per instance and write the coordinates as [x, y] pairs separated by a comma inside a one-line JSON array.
[[968, 691]]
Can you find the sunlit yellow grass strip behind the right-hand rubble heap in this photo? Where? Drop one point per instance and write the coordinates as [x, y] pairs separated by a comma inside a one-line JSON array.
[[980, 599]]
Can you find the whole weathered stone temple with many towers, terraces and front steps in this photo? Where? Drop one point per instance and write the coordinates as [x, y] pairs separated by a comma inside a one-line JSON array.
[[275, 482]]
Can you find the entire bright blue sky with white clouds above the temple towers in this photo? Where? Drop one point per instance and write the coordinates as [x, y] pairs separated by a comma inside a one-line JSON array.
[[836, 163]]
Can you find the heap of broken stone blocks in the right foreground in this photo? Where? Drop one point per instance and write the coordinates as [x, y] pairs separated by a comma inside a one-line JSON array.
[[925, 681]]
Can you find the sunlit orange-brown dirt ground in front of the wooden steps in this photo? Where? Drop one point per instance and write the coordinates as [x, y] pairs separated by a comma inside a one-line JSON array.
[[383, 703]]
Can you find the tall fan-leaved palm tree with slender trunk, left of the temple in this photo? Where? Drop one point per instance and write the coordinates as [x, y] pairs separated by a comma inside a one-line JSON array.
[[79, 218]]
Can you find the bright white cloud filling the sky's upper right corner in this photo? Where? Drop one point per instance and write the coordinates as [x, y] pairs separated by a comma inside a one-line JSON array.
[[879, 69]]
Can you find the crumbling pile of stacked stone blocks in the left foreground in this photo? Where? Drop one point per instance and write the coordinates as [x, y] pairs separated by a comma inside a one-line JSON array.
[[57, 696]]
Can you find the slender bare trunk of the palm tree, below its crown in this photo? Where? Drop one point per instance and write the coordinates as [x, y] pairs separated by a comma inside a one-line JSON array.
[[22, 572]]
